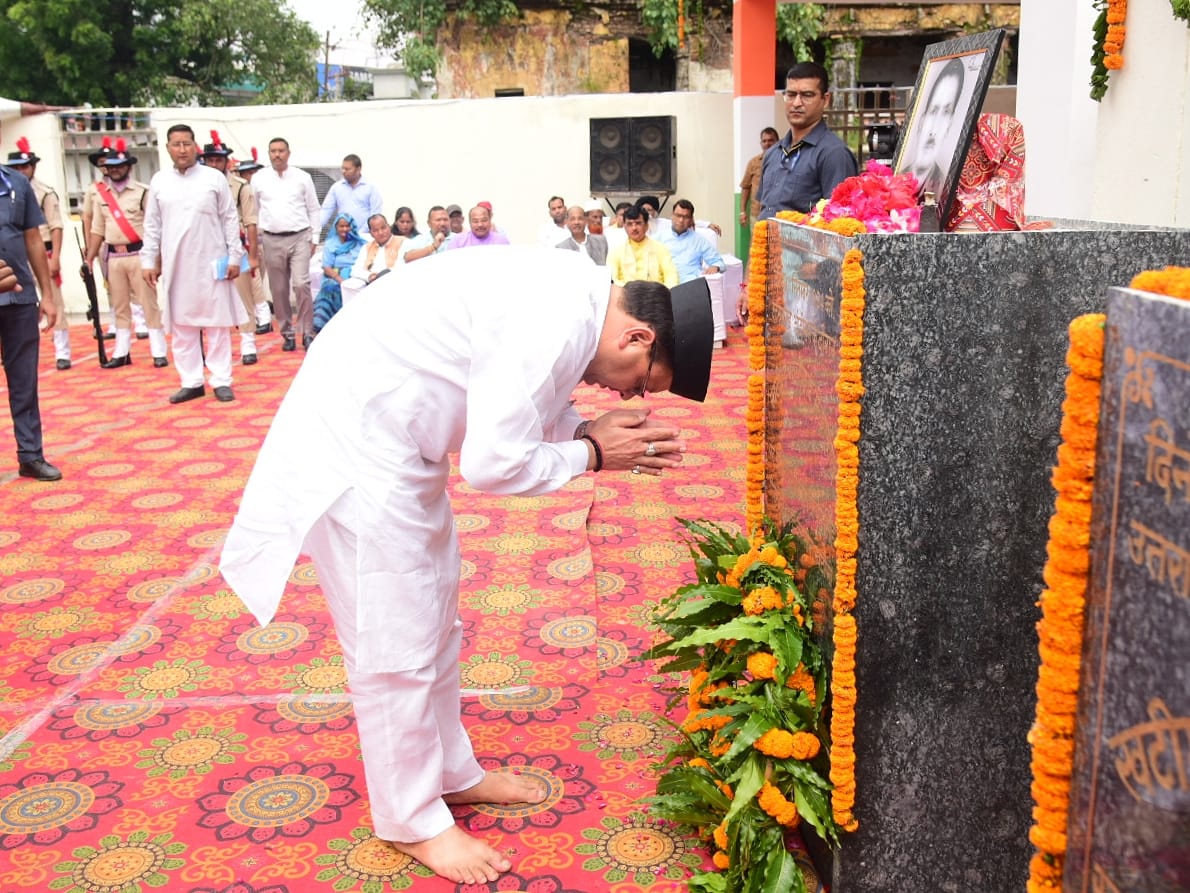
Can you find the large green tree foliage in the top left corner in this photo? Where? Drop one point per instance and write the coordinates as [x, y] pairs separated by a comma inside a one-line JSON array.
[[121, 53]]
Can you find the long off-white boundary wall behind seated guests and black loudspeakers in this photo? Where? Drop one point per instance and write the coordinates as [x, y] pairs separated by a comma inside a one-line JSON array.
[[515, 153]]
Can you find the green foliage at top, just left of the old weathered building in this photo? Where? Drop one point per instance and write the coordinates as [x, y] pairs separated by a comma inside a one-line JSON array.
[[412, 27]]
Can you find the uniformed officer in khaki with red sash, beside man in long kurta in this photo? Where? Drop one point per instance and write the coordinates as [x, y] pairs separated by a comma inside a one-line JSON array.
[[118, 221]]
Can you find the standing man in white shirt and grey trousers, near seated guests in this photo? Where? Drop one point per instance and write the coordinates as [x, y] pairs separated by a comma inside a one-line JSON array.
[[287, 216]]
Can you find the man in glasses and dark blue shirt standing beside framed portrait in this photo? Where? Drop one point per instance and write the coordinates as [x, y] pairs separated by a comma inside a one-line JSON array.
[[811, 161]]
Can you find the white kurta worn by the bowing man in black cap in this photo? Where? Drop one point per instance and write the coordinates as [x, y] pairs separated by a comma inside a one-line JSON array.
[[471, 352]]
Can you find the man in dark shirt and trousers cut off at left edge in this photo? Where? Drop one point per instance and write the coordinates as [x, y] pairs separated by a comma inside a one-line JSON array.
[[23, 251]]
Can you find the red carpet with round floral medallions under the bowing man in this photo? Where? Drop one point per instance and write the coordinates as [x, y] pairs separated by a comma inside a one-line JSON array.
[[156, 739]]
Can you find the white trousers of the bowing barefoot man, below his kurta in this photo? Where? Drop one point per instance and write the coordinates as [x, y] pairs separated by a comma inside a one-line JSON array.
[[411, 732]]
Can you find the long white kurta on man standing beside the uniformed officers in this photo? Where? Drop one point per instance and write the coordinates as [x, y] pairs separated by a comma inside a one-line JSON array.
[[191, 222]]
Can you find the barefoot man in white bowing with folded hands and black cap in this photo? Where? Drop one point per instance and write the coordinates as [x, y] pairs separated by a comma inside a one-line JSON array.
[[485, 367]]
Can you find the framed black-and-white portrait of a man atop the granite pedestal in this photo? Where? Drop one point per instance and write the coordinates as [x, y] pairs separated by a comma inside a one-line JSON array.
[[944, 111]]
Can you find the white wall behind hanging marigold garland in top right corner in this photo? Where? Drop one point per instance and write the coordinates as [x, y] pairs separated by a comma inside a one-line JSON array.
[[1124, 160]]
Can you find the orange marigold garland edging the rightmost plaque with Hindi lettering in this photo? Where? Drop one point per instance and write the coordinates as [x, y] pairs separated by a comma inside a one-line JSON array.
[[1061, 629]]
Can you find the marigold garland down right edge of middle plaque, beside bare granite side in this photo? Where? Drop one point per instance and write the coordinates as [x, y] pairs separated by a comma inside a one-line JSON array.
[[850, 389]]
